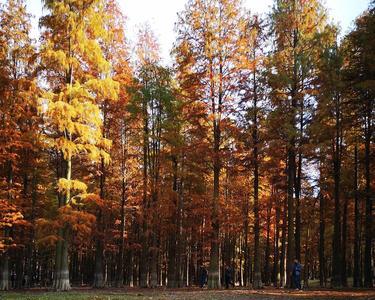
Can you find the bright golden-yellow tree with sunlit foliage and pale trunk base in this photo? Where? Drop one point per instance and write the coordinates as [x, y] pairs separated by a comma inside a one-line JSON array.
[[74, 127]]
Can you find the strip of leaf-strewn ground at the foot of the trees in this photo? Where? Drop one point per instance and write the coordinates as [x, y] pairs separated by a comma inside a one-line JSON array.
[[189, 294]]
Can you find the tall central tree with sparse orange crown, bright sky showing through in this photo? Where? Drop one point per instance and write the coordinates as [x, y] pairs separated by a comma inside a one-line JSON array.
[[211, 32]]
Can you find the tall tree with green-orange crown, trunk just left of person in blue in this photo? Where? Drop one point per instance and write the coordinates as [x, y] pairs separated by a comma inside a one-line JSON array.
[[296, 27]]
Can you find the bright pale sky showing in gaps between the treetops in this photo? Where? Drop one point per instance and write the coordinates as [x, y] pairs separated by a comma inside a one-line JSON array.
[[161, 16]]
